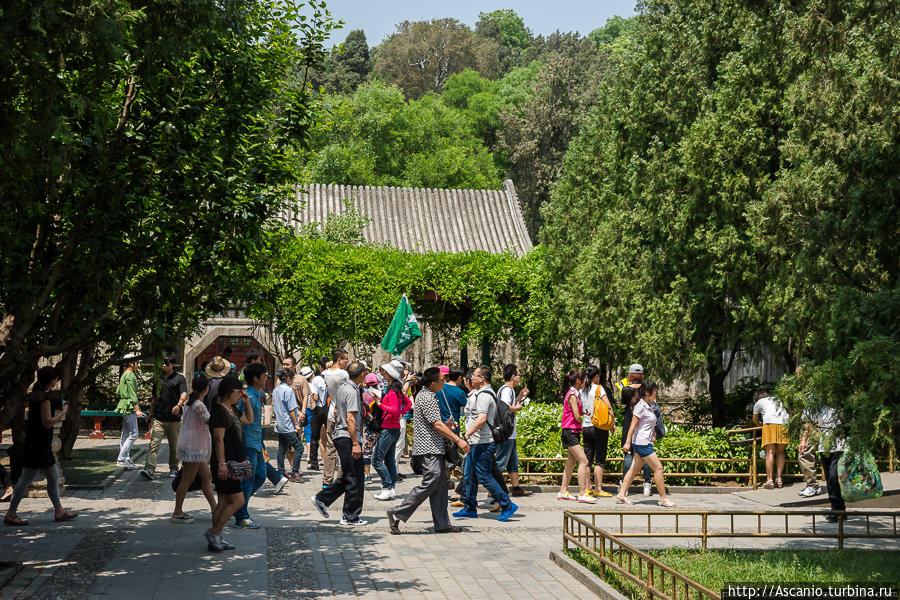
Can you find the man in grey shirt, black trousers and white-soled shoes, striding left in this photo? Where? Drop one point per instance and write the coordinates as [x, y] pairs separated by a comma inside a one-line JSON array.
[[348, 409]]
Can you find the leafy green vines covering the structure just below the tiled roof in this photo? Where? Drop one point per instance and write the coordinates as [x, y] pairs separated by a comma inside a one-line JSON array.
[[349, 293]]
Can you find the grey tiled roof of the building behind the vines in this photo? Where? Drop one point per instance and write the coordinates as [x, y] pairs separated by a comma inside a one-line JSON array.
[[424, 219]]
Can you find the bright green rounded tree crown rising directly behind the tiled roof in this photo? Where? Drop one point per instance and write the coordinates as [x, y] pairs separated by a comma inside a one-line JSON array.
[[375, 137]]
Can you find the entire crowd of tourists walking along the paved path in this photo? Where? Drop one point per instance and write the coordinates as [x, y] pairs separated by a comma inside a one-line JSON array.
[[349, 420]]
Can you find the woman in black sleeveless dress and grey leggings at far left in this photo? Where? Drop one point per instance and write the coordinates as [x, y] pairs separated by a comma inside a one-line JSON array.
[[42, 416]]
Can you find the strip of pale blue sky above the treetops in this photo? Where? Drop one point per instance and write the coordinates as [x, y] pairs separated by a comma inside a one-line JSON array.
[[378, 18]]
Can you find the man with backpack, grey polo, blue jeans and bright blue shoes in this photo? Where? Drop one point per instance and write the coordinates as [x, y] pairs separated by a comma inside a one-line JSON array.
[[481, 410]]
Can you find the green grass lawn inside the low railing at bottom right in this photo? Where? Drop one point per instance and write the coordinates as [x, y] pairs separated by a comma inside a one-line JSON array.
[[714, 568]]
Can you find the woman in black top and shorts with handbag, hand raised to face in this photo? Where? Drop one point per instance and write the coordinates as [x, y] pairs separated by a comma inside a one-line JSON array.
[[225, 422]]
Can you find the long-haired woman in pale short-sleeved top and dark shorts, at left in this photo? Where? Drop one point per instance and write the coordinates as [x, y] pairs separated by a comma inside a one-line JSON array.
[[194, 449]]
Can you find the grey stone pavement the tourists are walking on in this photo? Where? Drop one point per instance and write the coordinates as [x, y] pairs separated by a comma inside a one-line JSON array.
[[124, 546]]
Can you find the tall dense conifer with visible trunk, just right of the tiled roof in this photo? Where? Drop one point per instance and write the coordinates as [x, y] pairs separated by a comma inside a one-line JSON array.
[[685, 135]]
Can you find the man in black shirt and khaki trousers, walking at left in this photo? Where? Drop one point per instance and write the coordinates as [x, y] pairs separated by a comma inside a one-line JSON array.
[[165, 409]]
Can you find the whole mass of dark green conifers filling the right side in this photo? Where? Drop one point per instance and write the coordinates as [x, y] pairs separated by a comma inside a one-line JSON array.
[[729, 180]]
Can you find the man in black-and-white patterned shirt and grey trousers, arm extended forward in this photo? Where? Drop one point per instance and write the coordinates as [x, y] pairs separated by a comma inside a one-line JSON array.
[[429, 433]]
